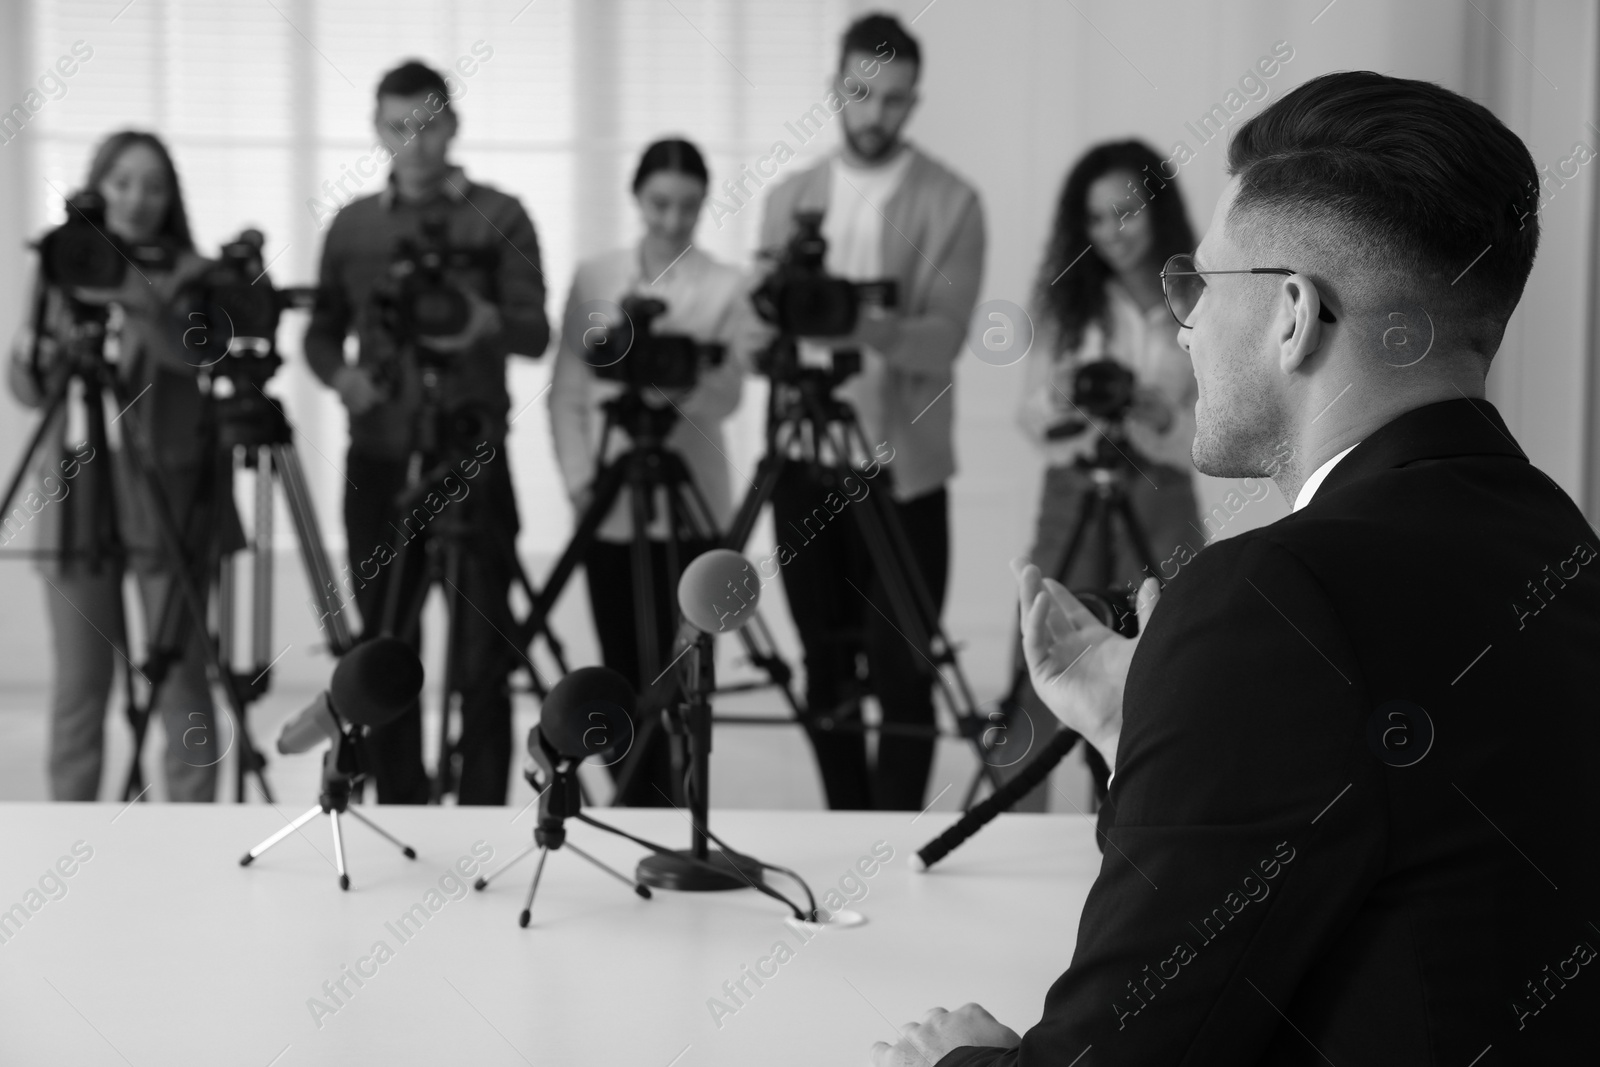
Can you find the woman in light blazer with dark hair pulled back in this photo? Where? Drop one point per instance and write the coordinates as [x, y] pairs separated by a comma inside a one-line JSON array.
[[706, 302]]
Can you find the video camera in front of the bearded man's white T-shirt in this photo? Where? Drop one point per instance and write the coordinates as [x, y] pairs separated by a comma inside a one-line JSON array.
[[802, 300]]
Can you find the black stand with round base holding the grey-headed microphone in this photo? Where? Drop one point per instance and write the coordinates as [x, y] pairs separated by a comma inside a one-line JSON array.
[[700, 868]]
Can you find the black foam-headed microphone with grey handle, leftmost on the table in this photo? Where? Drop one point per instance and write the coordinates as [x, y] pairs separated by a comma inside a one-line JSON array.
[[372, 685]]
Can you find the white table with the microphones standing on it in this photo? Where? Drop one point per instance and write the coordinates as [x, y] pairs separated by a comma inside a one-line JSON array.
[[166, 953]]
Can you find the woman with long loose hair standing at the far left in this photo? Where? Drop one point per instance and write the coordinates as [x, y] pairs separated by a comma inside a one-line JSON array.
[[145, 210]]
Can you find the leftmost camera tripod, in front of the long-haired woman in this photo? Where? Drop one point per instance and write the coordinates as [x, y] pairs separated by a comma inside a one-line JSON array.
[[100, 378]]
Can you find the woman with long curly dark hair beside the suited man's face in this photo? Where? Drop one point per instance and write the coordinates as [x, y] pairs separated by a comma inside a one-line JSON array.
[[1098, 297]]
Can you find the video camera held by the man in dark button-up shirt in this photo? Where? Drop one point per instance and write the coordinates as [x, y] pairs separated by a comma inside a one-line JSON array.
[[422, 303]]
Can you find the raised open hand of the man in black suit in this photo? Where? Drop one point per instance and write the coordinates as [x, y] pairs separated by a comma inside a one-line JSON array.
[[1078, 665]]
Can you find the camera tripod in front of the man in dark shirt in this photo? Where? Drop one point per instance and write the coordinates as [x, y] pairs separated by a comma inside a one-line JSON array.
[[442, 442]]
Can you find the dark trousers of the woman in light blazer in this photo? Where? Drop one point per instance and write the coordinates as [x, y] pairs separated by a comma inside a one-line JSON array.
[[612, 597]]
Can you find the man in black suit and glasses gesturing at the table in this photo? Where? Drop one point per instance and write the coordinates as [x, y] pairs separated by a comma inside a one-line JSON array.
[[1351, 818]]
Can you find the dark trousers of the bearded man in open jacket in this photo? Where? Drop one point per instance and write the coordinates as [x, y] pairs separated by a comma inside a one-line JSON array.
[[852, 641]]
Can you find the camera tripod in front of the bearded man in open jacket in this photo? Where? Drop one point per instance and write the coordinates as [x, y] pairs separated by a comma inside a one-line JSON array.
[[806, 417]]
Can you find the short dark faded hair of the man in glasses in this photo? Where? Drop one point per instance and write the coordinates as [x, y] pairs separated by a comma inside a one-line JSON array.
[[1407, 180]]
